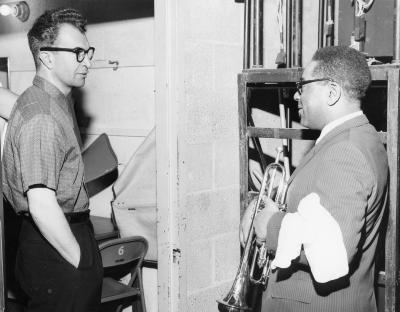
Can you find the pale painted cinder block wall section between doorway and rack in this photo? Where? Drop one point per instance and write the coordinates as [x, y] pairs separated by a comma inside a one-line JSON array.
[[212, 49]]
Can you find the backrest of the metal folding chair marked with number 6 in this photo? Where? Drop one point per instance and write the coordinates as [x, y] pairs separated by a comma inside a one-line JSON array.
[[122, 256]]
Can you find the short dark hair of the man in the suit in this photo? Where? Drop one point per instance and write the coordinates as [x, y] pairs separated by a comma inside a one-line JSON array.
[[346, 66]]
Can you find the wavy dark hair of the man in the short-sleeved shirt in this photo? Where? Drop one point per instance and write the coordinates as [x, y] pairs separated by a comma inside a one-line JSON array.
[[45, 29]]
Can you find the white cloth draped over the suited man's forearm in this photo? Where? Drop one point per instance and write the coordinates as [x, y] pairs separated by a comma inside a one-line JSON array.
[[314, 228]]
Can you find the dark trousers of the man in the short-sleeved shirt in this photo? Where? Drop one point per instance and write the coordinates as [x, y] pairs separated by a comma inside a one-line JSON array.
[[49, 281]]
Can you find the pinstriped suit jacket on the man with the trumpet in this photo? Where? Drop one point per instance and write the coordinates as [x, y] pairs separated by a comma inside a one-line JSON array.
[[348, 169]]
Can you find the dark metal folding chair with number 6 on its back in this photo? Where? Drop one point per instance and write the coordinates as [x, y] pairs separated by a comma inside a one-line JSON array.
[[120, 257]]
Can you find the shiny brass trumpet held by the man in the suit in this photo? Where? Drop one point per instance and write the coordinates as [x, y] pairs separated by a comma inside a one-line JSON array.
[[274, 186]]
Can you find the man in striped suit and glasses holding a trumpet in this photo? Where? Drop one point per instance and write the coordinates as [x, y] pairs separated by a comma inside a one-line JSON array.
[[325, 242]]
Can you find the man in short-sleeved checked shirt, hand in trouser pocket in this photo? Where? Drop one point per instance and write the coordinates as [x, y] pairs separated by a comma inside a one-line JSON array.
[[58, 263]]
